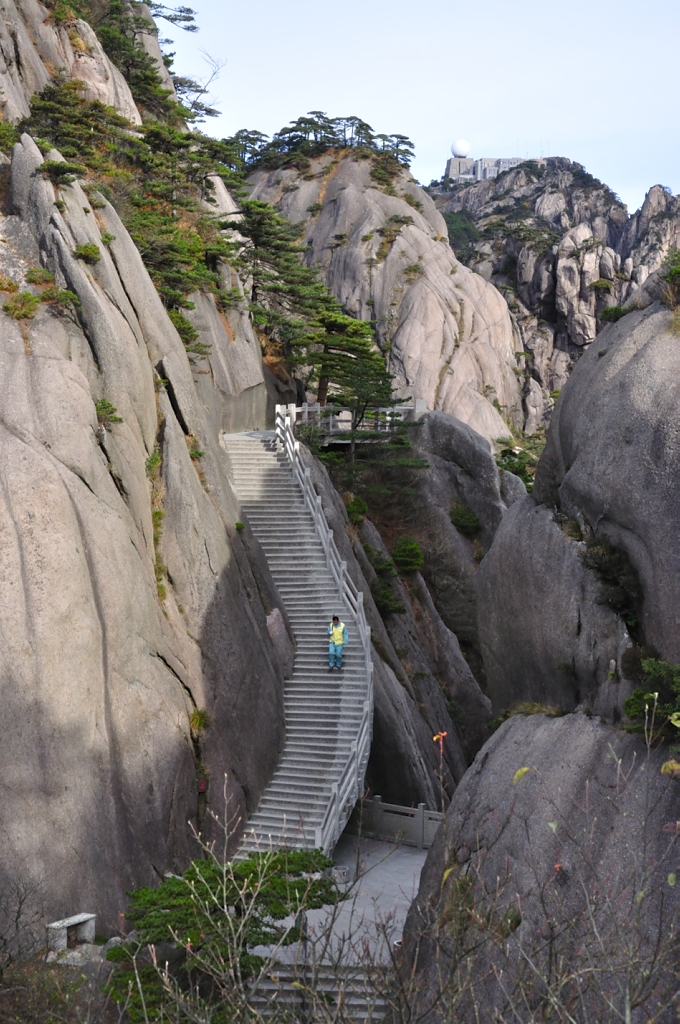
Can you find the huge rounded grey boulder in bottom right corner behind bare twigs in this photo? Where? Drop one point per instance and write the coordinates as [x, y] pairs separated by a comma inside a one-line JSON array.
[[549, 883]]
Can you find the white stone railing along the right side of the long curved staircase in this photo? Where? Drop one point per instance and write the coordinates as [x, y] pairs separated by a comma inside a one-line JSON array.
[[348, 790]]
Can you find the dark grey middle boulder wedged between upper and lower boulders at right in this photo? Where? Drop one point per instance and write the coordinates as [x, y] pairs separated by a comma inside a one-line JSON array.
[[544, 635]]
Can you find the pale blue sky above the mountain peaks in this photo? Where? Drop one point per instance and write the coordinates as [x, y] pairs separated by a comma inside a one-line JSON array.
[[592, 80]]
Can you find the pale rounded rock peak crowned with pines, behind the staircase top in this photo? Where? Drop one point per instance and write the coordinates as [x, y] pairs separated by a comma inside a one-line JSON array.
[[387, 258]]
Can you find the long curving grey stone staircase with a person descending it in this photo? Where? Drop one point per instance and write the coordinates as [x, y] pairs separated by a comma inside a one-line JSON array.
[[320, 777]]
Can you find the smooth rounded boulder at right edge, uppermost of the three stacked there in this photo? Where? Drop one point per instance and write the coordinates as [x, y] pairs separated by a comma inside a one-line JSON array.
[[613, 457]]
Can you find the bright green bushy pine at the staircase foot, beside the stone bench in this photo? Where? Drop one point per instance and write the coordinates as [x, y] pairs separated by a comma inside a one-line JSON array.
[[261, 892]]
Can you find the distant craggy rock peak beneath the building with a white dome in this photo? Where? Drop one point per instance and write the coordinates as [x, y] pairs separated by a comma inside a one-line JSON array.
[[562, 247]]
